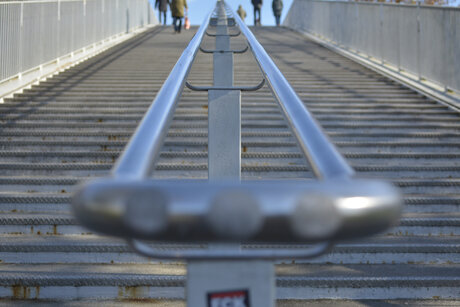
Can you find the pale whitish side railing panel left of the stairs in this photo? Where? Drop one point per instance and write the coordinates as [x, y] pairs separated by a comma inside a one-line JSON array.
[[33, 33]]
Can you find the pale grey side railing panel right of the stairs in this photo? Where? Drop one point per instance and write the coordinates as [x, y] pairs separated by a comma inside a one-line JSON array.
[[420, 40]]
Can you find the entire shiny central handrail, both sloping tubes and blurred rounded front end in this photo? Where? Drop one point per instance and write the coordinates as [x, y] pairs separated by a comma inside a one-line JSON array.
[[135, 207]]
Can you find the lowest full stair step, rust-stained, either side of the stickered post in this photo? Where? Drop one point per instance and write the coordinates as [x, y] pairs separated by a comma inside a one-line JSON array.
[[168, 281]]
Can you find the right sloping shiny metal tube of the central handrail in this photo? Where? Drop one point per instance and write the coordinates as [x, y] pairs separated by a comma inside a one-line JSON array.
[[324, 158]]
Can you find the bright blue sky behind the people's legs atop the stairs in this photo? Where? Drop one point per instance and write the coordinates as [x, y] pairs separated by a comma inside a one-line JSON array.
[[198, 9]]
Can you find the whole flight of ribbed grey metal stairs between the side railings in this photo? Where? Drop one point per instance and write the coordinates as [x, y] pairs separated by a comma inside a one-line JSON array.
[[73, 127]]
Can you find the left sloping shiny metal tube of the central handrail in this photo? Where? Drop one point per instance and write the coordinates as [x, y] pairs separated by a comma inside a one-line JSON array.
[[140, 155]]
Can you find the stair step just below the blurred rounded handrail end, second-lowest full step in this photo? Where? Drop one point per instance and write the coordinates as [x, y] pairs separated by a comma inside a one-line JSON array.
[[29, 249]]
